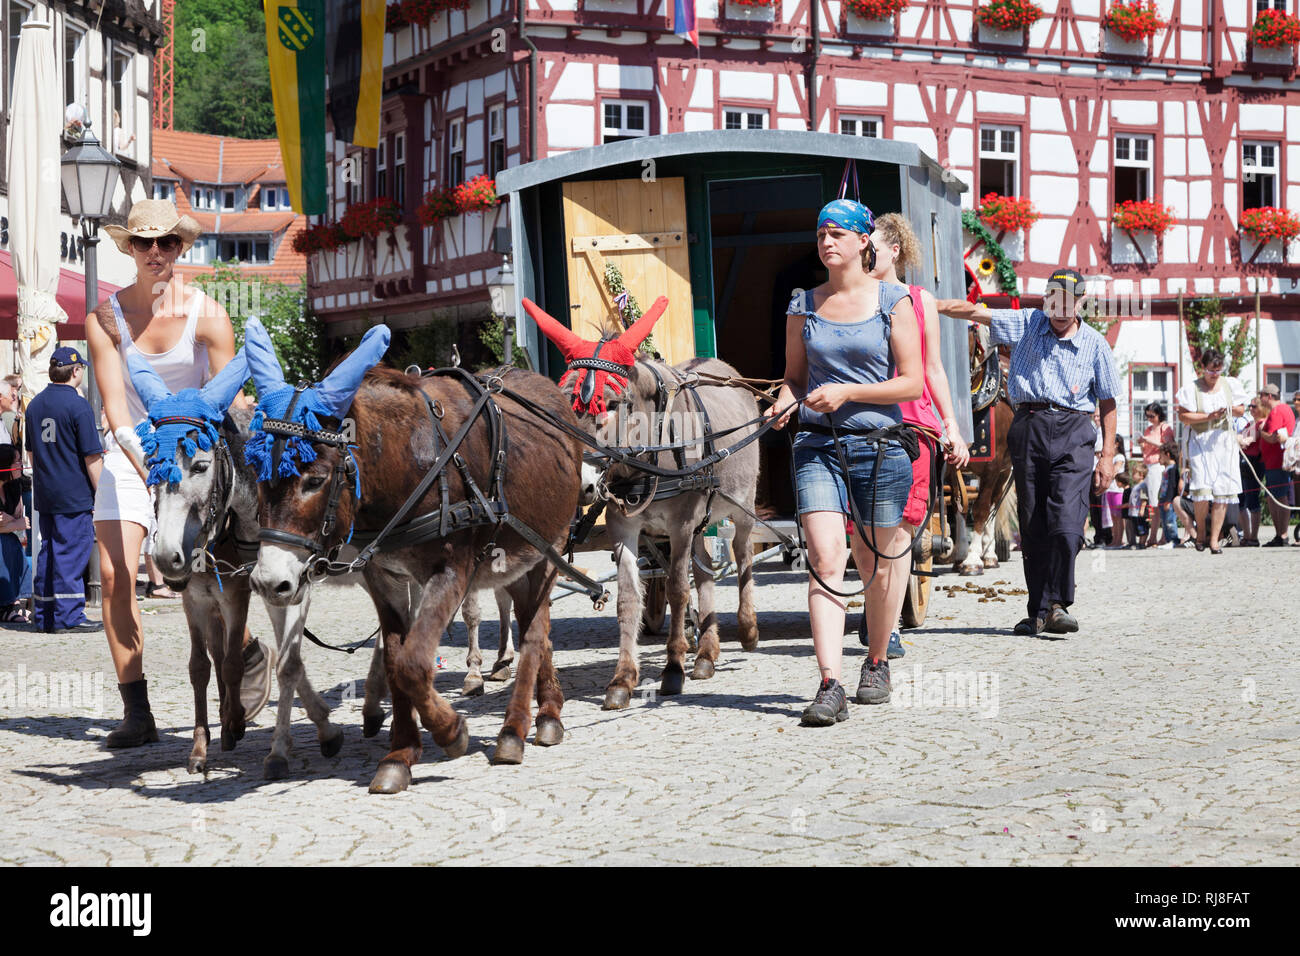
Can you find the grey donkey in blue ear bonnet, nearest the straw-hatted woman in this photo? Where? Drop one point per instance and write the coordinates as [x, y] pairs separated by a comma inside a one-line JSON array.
[[206, 501]]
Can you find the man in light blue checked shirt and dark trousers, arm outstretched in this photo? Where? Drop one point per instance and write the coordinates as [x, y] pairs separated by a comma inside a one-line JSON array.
[[1061, 370]]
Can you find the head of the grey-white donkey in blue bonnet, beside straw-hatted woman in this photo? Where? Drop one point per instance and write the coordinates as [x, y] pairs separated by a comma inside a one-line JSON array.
[[189, 466]]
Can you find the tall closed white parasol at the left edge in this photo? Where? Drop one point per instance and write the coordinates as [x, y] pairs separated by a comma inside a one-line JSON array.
[[36, 188]]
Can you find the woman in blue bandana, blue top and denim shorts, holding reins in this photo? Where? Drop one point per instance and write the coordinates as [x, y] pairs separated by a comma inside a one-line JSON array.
[[852, 354]]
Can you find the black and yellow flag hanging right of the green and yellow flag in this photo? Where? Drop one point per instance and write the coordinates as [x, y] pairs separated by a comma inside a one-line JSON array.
[[356, 64]]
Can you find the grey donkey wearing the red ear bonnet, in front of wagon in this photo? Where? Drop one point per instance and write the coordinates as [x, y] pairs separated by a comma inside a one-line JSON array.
[[614, 387]]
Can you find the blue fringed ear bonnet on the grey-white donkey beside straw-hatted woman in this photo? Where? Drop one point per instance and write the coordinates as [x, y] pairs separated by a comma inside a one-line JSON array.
[[188, 421]]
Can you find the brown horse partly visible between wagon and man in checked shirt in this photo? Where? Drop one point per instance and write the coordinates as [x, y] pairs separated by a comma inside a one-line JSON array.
[[991, 456]]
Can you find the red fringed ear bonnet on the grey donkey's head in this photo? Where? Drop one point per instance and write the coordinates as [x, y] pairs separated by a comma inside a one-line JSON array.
[[597, 373]]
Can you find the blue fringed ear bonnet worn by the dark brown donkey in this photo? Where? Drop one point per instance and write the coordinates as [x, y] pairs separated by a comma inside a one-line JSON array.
[[330, 399]]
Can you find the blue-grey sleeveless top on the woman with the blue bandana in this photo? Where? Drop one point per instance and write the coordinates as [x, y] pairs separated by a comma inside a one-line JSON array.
[[848, 354]]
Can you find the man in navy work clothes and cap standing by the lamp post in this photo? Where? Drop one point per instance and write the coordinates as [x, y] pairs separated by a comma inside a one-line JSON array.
[[67, 457]]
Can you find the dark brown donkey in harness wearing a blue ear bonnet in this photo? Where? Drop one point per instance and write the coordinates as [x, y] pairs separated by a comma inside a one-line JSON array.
[[322, 487]]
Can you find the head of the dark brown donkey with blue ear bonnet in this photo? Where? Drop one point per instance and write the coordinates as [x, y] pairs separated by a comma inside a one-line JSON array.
[[301, 452]]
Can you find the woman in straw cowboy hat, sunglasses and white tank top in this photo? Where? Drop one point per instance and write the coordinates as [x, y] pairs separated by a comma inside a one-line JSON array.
[[187, 338]]
